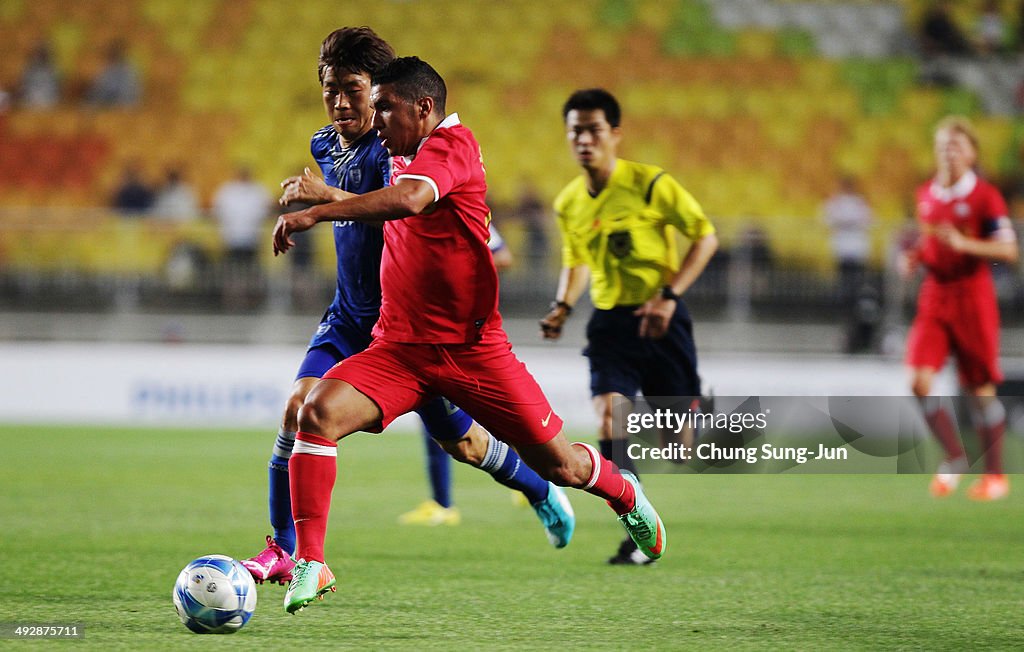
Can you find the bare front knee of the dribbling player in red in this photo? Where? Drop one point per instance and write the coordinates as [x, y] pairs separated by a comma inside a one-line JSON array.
[[334, 410]]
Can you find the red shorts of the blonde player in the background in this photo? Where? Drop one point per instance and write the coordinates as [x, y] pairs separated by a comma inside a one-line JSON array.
[[963, 319]]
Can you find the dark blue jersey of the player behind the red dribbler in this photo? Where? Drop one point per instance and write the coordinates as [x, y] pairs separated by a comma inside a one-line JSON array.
[[360, 169]]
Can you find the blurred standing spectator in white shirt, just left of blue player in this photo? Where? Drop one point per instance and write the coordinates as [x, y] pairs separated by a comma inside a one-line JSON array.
[[241, 208]]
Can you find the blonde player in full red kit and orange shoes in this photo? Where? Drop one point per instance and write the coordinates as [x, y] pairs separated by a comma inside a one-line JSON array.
[[964, 228]]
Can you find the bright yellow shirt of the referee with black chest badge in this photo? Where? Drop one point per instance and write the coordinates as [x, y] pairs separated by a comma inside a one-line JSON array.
[[623, 235]]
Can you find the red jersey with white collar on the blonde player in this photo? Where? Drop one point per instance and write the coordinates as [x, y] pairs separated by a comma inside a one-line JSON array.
[[976, 209]]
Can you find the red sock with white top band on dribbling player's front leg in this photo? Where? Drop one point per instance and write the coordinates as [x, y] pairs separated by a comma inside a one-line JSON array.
[[312, 472]]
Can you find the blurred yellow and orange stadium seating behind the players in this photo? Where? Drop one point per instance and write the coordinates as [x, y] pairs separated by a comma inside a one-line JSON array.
[[757, 106]]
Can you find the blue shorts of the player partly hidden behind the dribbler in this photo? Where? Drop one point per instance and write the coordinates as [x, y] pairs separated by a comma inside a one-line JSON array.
[[334, 342]]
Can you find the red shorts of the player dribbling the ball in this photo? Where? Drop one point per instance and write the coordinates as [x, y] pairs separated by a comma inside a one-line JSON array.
[[485, 379]]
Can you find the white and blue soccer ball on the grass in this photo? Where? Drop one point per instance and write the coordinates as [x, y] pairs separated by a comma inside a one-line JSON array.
[[215, 595]]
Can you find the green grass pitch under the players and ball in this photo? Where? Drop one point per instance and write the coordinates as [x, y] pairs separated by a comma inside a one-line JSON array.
[[98, 524]]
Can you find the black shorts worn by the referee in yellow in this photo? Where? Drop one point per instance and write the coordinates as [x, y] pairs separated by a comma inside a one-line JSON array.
[[623, 362]]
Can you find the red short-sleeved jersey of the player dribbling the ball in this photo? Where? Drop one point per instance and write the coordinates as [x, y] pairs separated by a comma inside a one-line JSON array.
[[439, 281]]
